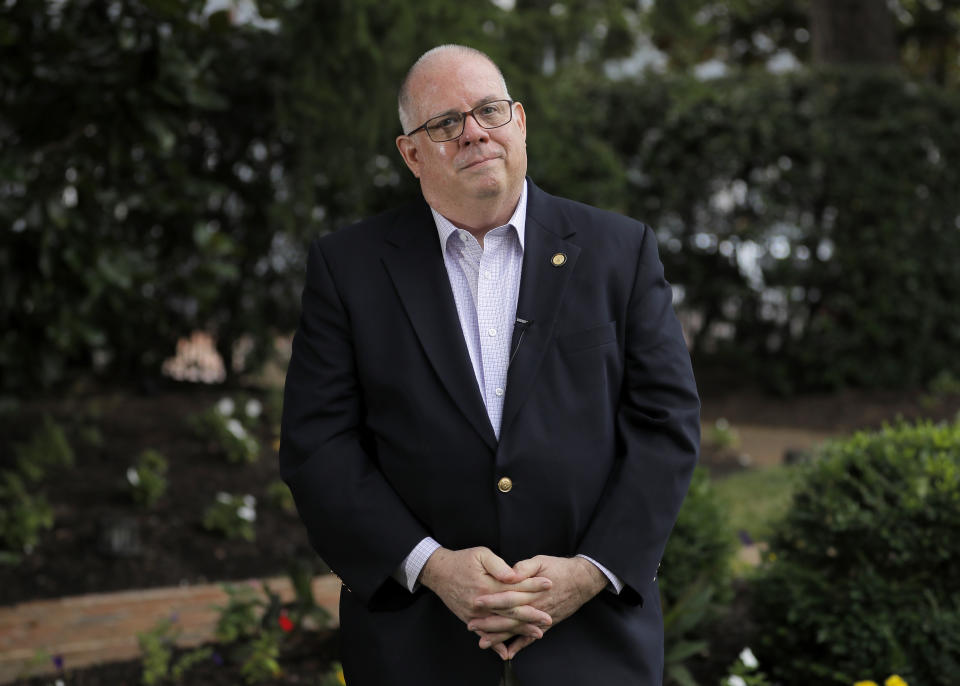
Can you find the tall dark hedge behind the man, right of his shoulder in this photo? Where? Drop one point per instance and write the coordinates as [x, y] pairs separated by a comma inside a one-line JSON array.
[[810, 219]]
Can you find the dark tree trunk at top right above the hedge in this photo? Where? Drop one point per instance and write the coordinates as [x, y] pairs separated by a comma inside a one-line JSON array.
[[852, 32]]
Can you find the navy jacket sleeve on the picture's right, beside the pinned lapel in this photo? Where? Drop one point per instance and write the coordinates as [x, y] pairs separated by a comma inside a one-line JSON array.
[[658, 433]]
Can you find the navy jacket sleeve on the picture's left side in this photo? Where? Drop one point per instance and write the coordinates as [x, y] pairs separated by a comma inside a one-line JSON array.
[[355, 520]]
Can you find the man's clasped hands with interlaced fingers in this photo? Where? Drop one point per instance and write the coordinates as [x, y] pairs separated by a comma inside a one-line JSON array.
[[497, 601]]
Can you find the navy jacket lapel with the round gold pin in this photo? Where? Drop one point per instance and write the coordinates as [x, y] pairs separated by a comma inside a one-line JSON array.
[[542, 286]]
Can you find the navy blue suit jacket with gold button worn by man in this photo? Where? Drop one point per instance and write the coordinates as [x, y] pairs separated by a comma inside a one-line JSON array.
[[386, 440]]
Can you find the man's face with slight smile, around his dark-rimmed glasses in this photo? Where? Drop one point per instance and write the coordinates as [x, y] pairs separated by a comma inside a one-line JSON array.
[[482, 163]]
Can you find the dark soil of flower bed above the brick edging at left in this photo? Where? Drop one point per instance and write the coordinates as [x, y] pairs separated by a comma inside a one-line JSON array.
[[172, 545]]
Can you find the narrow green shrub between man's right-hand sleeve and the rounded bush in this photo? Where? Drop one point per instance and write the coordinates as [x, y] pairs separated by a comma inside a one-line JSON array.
[[694, 577]]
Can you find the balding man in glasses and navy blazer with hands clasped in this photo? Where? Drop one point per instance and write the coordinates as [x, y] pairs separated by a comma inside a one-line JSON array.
[[490, 418]]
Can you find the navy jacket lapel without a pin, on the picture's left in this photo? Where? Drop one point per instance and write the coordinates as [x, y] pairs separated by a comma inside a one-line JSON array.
[[415, 264]]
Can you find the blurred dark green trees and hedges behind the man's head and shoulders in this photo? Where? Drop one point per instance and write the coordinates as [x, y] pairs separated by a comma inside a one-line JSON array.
[[164, 163]]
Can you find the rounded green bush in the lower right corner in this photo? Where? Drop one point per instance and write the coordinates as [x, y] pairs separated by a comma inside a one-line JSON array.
[[861, 576]]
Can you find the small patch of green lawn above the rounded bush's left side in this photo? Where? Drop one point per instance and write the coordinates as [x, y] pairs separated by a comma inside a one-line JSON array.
[[755, 498]]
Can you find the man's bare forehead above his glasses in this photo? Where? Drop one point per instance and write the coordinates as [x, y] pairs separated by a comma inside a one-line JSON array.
[[454, 82]]
